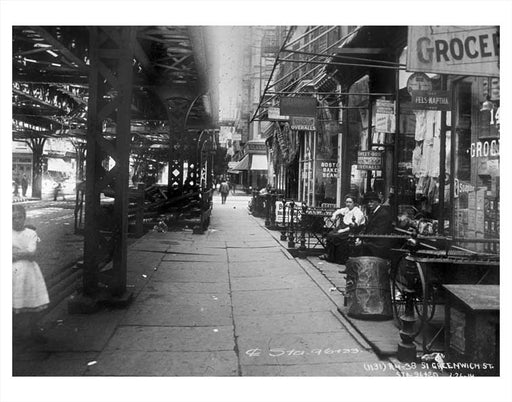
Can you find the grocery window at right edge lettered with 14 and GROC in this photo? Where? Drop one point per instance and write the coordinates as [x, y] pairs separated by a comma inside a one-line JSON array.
[[477, 175]]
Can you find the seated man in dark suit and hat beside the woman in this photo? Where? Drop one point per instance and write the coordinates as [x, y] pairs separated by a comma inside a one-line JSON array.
[[378, 222]]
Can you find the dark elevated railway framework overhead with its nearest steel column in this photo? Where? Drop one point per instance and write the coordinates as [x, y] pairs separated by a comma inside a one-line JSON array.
[[140, 95]]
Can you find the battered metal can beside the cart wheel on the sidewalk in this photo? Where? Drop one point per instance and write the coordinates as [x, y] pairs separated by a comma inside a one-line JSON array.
[[368, 289]]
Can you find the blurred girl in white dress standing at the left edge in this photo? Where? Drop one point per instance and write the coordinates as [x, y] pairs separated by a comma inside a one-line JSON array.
[[29, 292]]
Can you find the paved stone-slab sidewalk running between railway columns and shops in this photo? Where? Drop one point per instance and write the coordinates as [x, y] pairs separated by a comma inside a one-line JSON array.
[[230, 302]]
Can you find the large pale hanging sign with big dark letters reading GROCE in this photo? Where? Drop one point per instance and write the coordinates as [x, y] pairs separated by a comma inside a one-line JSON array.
[[463, 50]]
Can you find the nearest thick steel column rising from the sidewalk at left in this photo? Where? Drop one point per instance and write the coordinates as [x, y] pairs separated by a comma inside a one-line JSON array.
[[110, 98]]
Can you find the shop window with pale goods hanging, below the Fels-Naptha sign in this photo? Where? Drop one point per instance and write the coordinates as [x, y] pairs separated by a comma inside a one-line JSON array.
[[419, 164]]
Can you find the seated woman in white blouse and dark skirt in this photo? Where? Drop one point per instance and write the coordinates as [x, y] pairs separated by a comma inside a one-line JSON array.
[[347, 219]]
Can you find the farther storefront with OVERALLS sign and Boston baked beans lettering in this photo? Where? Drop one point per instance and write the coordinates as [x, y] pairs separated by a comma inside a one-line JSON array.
[[304, 145]]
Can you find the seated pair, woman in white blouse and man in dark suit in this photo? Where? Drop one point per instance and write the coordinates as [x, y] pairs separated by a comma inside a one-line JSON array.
[[351, 220]]
